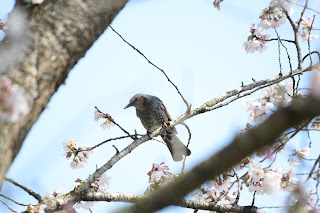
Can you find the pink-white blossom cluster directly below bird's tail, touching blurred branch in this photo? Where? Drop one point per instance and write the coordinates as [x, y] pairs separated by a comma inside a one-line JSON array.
[[159, 175]]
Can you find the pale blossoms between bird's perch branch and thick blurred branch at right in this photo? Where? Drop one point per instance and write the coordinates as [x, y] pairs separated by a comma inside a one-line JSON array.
[[275, 95]]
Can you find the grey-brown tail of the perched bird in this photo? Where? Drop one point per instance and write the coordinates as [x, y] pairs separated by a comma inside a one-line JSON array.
[[175, 146]]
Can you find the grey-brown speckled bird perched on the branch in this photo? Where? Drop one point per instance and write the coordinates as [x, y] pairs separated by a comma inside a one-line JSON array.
[[153, 114]]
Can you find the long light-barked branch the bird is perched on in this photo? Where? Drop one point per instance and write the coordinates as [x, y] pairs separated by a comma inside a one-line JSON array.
[[84, 187]]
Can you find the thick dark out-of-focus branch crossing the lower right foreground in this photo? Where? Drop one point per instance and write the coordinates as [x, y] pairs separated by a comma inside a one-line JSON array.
[[242, 146]]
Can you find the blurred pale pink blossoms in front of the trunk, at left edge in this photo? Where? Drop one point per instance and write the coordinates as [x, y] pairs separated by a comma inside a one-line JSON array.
[[13, 103]]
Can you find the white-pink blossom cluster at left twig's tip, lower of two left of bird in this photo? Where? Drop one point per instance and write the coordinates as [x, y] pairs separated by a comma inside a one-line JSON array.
[[79, 155]]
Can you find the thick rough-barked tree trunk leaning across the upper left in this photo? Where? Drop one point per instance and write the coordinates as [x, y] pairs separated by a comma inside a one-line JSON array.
[[58, 34]]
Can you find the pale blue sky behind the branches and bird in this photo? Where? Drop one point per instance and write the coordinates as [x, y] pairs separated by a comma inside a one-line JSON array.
[[200, 49]]
